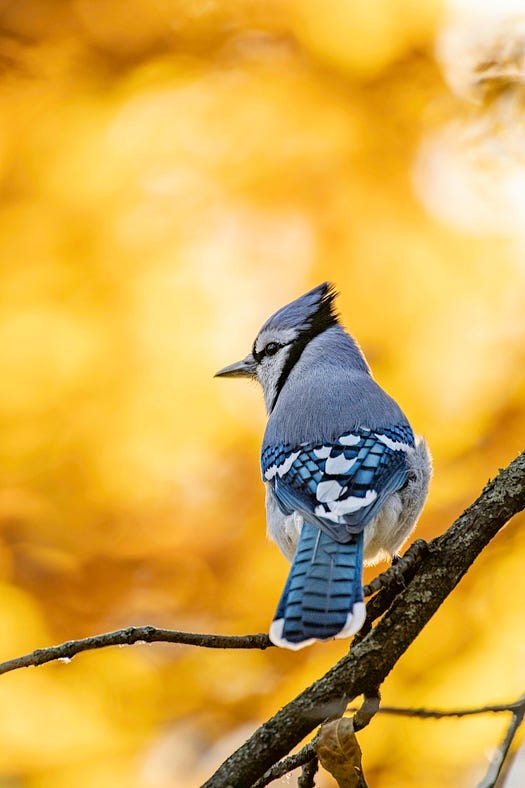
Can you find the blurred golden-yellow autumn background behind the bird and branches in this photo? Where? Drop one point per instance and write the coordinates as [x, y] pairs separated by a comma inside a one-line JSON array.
[[171, 173]]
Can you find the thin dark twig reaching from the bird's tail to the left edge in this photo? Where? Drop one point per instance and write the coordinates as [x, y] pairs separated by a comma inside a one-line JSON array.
[[129, 636]]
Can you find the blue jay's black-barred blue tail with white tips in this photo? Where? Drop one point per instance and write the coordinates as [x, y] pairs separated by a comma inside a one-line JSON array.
[[323, 595]]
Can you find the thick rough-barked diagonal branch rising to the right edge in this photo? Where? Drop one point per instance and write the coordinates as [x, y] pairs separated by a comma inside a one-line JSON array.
[[371, 660]]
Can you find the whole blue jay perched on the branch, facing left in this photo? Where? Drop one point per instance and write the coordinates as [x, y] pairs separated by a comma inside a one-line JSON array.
[[346, 478]]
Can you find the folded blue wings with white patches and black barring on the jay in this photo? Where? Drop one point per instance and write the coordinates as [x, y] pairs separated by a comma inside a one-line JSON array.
[[342, 484]]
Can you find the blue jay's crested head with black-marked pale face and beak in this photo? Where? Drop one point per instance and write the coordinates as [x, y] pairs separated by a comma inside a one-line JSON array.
[[282, 339]]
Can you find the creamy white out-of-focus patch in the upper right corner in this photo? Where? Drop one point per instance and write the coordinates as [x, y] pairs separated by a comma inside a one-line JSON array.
[[471, 172]]
